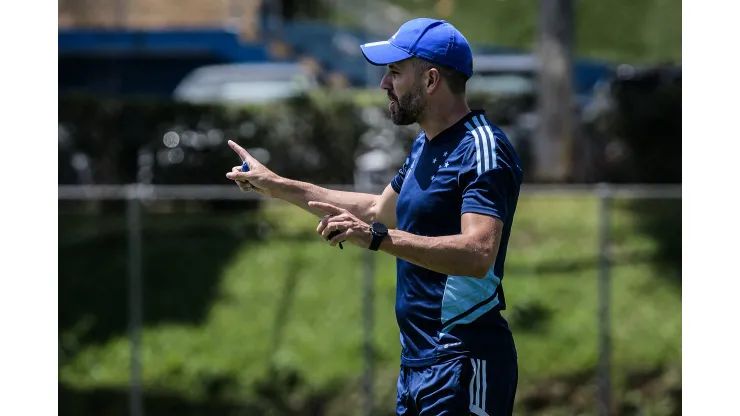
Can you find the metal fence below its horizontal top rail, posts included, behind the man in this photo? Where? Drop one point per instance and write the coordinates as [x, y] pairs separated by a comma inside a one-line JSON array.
[[203, 300]]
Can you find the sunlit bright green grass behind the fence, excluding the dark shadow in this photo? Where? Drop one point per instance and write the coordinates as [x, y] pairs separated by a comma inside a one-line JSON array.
[[292, 305]]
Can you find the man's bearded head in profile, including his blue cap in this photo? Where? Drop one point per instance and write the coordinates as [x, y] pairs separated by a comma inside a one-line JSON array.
[[428, 60]]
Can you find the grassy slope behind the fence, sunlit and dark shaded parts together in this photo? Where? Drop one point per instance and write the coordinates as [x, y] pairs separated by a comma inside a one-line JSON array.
[[254, 308]]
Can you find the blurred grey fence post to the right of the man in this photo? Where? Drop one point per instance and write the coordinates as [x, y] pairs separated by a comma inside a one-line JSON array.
[[603, 372]]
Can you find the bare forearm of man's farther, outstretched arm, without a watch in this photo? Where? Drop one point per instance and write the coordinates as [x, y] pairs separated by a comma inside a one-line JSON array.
[[299, 193]]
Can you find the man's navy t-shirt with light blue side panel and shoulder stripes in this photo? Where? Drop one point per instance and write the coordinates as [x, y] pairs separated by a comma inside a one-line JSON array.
[[469, 167]]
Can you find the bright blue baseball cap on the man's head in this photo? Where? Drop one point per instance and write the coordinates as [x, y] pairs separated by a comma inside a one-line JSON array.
[[434, 40]]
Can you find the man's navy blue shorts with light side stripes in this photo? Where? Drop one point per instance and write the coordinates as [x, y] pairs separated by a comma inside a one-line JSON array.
[[463, 386]]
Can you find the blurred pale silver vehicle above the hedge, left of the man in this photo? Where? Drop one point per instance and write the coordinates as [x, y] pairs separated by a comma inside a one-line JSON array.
[[245, 83]]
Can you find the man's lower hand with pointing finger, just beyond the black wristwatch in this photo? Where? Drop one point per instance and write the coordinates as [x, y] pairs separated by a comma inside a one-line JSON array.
[[350, 228]]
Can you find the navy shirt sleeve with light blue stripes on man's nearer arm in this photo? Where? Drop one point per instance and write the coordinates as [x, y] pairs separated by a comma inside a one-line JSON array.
[[486, 184]]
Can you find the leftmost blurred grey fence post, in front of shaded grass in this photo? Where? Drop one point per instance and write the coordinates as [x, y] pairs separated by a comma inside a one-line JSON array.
[[133, 224]]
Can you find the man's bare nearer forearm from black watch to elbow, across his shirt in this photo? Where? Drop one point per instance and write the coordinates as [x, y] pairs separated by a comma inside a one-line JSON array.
[[458, 255]]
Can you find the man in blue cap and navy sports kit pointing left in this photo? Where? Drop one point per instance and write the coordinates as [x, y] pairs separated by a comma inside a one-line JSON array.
[[446, 216]]
